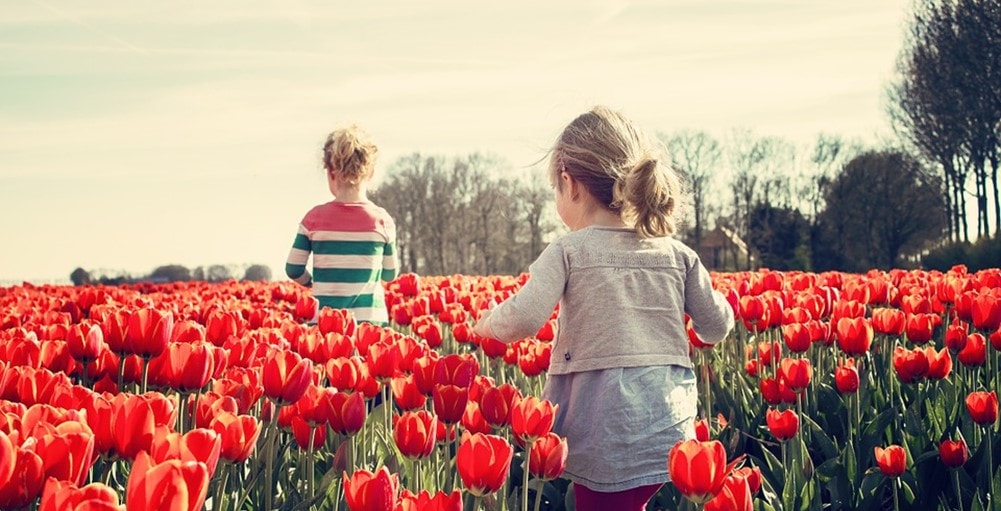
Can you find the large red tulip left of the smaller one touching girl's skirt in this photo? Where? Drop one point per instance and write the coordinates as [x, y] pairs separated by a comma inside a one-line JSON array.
[[484, 462]]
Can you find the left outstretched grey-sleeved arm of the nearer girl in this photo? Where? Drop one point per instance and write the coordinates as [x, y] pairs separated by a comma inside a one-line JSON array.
[[524, 314]]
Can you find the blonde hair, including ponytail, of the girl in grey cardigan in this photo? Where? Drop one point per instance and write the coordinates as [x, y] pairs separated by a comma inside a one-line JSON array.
[[622, 169]]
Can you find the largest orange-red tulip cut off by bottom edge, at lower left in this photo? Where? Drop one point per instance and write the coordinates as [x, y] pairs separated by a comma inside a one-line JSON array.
[[174, 484]]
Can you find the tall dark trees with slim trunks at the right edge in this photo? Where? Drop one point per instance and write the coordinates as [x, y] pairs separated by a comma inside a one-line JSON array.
[[947, 104]]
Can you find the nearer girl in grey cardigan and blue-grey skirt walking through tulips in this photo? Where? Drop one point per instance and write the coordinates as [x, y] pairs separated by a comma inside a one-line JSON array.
[[620, 372]]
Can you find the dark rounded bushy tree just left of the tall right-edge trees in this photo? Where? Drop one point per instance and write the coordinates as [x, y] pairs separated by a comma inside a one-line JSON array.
[[882, 206]]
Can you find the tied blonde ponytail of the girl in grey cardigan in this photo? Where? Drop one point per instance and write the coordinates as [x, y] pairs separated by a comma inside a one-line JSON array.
[[652, 192]]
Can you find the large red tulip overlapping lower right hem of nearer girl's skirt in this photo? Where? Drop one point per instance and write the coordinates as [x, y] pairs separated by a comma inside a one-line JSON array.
[[698, 469]]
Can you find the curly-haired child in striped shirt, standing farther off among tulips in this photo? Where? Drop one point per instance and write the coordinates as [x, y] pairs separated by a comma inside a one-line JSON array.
[[353, 241]]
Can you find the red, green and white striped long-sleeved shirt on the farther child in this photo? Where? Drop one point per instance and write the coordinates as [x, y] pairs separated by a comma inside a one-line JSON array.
[[354, 253]]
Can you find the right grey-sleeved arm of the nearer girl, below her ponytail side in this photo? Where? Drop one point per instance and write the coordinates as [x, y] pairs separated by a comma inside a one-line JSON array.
[[712, 316]]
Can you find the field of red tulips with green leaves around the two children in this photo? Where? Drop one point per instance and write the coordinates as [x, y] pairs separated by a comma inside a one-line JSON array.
[[835, 391]]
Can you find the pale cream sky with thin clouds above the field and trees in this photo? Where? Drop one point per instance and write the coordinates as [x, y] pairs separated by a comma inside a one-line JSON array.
[[141, 134]]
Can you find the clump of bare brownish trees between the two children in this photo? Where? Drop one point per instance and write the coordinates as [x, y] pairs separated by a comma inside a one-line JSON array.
[[464, 215]]
